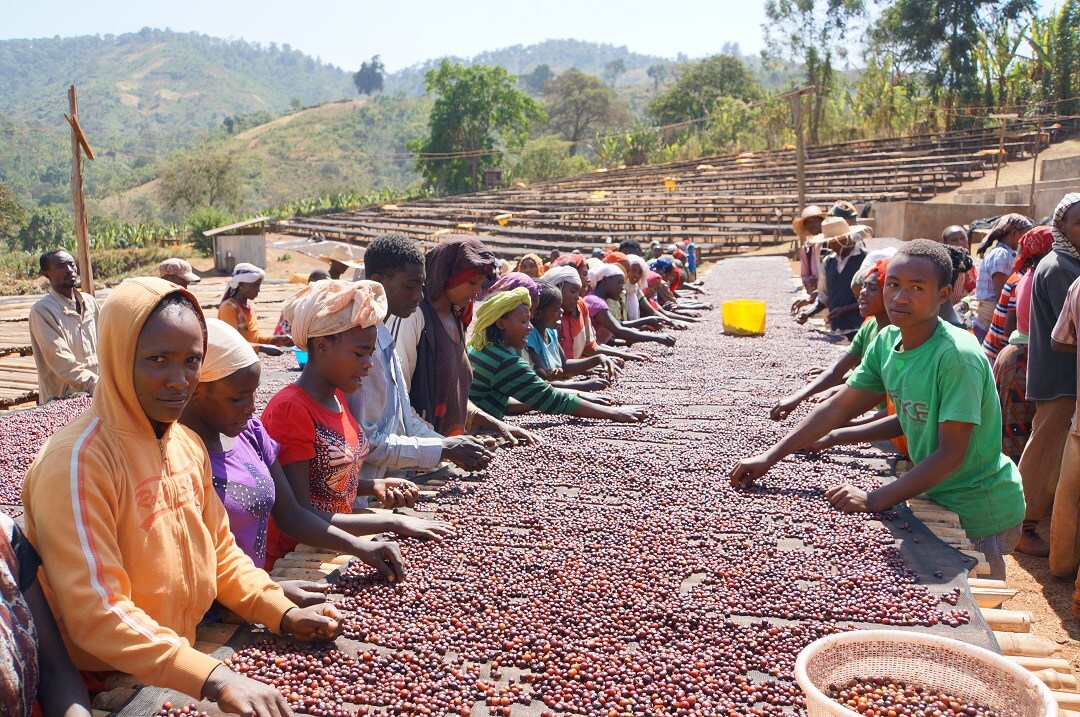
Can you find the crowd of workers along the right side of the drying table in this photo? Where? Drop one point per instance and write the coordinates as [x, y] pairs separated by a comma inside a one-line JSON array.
[[985, 407]]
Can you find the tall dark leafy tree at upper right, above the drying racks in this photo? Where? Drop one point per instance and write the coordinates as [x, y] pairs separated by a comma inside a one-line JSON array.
[[943, 38]]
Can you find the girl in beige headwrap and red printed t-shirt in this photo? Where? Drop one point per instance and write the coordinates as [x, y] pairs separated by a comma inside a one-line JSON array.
[[321, 444]]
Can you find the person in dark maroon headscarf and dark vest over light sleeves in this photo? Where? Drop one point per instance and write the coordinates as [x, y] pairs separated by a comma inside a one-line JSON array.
[[431, 343]]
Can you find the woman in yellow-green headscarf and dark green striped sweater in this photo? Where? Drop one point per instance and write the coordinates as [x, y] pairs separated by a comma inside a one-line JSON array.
[[501, 374]]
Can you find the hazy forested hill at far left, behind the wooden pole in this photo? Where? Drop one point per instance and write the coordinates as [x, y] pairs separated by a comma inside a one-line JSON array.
[[142, 98]]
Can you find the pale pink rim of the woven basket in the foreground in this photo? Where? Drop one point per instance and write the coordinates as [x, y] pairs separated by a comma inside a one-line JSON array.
[[821, 644]]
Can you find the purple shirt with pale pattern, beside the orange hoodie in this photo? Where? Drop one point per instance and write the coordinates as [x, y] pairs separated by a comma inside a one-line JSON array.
[[244, 482]]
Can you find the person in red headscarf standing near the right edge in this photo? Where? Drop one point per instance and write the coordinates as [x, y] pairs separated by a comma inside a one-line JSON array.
[[1010, 367]]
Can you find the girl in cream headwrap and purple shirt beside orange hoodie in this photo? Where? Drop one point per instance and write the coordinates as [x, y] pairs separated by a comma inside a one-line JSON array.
[[251, 482]]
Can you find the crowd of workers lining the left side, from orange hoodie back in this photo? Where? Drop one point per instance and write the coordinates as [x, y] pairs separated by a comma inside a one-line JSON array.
[[415, 364]]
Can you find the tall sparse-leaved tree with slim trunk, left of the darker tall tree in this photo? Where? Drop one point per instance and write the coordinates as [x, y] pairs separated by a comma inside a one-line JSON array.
[[814, 33]]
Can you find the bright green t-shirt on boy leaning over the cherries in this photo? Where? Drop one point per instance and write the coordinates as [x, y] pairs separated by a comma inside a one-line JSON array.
[[949, 380]]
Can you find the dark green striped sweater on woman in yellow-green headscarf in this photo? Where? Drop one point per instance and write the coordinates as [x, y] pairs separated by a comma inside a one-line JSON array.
[[499, 374]]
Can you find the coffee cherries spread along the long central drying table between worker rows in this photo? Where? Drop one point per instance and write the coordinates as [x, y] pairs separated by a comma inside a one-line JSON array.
[[613, 572]]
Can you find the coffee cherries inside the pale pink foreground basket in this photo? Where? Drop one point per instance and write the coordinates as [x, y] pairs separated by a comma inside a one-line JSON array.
[[880, 697]]
